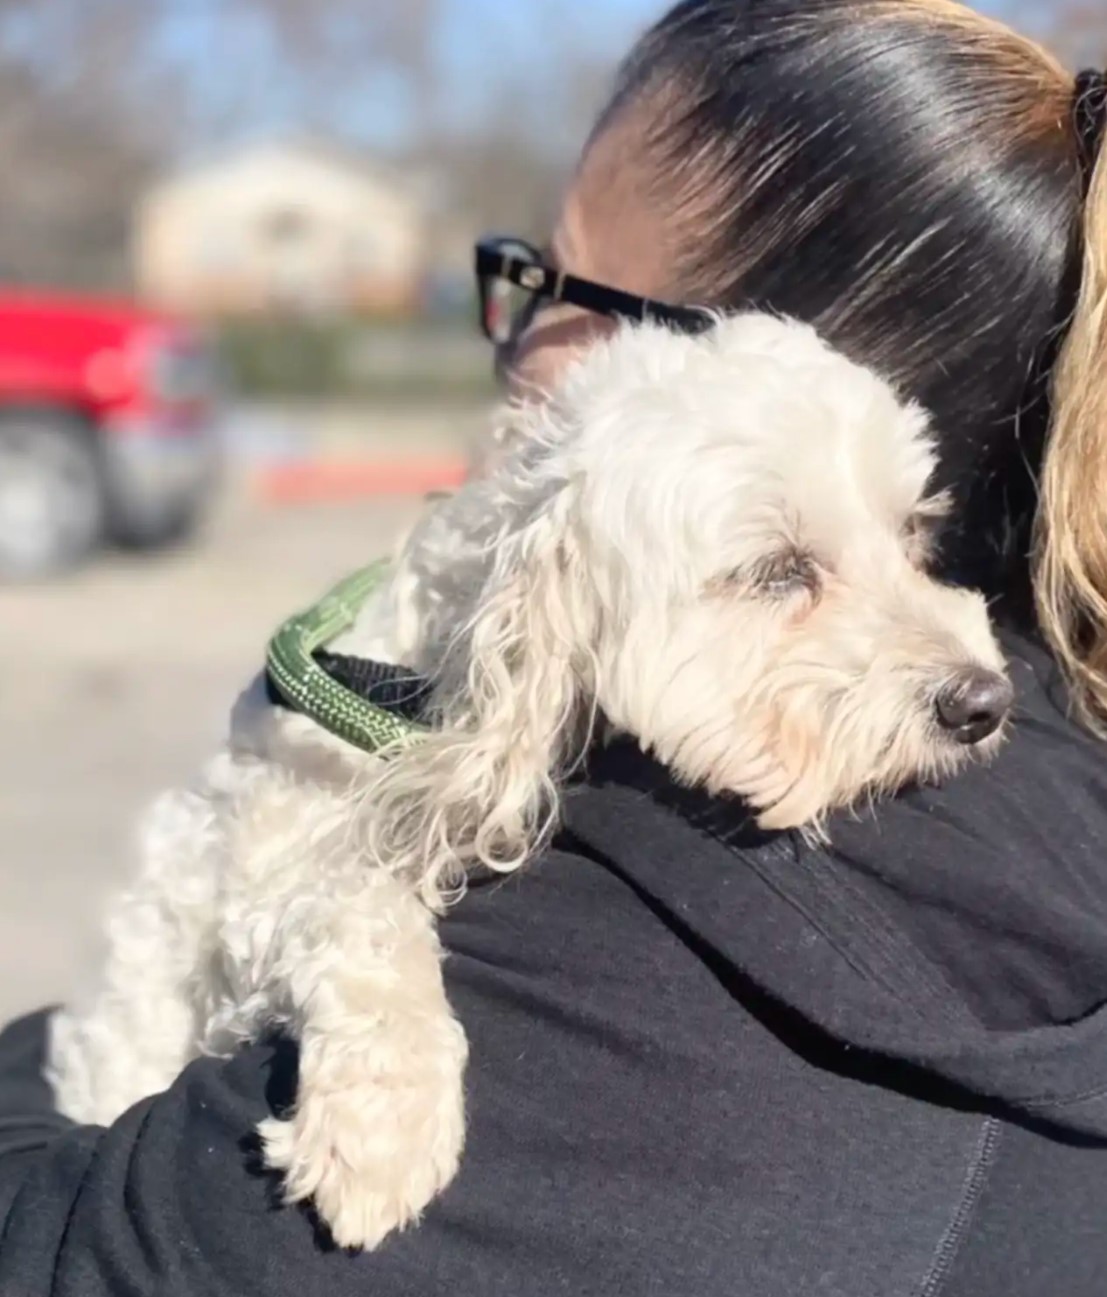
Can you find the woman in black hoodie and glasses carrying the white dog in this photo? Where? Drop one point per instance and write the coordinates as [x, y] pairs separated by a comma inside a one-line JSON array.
[[707, 1062]]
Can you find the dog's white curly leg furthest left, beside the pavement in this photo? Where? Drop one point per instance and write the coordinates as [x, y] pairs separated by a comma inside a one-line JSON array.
[[132, 1037]]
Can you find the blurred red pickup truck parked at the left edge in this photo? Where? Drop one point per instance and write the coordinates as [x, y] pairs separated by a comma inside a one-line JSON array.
[[108, 418]]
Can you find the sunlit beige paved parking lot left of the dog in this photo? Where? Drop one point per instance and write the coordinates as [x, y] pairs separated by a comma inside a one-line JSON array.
[[116, 684]]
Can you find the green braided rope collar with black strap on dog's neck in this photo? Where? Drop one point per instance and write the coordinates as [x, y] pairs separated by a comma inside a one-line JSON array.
[[370, 705]]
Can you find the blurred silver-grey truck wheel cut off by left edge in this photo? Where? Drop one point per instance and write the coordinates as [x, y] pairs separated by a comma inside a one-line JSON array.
[[52, 500]]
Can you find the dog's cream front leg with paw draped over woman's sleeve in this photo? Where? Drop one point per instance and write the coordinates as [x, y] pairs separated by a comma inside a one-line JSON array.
[[379, 1121]]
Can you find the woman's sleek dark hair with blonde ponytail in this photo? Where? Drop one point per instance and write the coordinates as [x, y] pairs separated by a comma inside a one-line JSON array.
[[908, 177]]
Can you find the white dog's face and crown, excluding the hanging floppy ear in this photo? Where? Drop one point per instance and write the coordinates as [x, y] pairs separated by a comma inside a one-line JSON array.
[[755, 514]]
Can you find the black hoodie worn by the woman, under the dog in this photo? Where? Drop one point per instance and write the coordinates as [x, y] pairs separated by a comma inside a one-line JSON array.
[[707, 1063]]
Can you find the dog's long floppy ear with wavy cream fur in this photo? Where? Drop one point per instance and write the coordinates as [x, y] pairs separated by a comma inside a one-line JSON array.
[[515, 700]]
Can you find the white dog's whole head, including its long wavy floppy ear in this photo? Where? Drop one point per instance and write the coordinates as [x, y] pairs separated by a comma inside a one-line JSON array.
[[721, 545]]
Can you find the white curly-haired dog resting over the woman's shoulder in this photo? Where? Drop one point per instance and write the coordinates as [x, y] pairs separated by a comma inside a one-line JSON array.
[[717, 545]]
